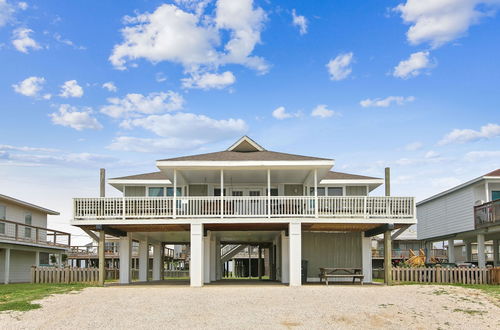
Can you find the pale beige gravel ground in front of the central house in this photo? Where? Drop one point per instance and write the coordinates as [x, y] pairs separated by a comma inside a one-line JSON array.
[[262, 307]]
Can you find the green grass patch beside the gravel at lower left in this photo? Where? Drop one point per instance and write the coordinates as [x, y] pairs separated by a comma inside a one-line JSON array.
[[18, 297]]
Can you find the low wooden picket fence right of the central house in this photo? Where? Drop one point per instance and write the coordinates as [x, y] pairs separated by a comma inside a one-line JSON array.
[[446, 275]]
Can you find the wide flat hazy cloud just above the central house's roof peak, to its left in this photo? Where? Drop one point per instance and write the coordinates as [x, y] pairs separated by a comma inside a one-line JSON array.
[[189, 126]]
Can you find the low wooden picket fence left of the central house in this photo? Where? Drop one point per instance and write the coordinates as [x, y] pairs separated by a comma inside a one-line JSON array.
[[69, 275]]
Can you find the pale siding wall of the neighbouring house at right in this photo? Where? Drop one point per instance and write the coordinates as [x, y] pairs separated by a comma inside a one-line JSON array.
[[449, 214]]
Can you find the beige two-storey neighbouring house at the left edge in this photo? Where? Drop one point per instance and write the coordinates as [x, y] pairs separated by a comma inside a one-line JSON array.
[[25, 240]]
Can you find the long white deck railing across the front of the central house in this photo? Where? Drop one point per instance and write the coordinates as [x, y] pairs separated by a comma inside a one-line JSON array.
[[244, 207]]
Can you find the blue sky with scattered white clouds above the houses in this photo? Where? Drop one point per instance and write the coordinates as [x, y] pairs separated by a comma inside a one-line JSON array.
[[409, 84]]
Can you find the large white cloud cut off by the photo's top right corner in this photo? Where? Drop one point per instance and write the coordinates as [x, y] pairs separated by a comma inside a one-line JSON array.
[[439, 22]]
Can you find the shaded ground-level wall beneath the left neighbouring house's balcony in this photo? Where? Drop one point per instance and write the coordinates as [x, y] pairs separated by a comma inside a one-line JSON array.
[[20, 265]]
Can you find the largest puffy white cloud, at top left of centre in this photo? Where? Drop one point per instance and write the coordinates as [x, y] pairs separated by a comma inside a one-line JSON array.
[[193, 39]]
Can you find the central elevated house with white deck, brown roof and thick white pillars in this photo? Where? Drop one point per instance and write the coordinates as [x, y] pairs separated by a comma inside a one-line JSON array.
[[292, 205]]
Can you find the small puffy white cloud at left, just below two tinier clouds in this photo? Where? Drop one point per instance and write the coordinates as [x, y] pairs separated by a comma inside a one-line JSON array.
[[69, 116]]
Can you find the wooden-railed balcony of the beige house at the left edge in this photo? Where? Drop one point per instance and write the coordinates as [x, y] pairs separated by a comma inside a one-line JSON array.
[[27, 234]]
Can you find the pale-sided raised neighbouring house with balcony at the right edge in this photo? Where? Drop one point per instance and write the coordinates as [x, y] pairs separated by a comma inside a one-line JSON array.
[[469, 212]]
